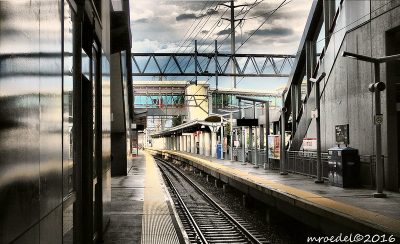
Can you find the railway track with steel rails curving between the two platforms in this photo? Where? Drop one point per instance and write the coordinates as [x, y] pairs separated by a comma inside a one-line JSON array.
[[204, 220]]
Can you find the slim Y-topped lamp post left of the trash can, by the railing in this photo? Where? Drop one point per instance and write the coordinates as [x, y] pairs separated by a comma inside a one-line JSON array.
[[318, 125]]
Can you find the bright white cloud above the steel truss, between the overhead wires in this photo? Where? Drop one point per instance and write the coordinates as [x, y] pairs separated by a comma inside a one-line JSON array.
[[155, 28]]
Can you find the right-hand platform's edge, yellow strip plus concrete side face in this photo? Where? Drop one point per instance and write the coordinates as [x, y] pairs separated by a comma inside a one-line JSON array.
[[324, 214]]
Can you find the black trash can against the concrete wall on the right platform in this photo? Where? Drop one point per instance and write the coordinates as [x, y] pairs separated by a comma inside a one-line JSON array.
[[344, 167]]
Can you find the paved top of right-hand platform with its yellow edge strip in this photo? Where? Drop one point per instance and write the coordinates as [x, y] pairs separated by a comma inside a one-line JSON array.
[[356, 205]]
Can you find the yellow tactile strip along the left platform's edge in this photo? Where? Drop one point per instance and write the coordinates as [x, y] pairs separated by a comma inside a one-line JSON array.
[[157, 224]]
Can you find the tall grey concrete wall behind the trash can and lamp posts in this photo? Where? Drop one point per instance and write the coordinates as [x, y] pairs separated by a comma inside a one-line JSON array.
[[361, 29]]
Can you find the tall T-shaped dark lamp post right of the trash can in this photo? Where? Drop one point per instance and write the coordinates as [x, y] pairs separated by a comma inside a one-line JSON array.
[[376, 88]]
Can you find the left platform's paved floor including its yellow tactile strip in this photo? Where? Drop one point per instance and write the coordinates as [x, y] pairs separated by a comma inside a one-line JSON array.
[[141, 211]]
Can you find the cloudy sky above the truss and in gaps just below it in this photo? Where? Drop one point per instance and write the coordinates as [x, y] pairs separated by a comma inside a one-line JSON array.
[[172, 26]]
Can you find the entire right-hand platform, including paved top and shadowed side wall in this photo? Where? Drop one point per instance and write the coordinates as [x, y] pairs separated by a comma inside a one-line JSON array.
[[327, 208]]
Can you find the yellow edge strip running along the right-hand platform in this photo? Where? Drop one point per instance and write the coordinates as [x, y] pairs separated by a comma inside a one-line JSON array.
[[303, 199]]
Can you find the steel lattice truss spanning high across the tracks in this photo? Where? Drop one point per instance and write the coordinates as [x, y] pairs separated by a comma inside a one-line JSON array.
[[206, 64]]
